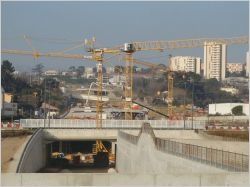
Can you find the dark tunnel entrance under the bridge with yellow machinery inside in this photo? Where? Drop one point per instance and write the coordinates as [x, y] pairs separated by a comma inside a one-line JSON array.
[[78, 156]]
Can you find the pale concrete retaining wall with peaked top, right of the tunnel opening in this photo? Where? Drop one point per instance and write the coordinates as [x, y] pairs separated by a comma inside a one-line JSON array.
[[144, 158]]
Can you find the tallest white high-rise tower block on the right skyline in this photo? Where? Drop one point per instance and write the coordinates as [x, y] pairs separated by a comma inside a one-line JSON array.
[[215, 55]]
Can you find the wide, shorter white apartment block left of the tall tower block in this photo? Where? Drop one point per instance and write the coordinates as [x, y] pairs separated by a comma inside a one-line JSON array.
[[186, 63]]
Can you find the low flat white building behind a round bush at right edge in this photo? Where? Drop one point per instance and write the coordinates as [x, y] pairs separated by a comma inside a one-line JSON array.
[[226, 108]]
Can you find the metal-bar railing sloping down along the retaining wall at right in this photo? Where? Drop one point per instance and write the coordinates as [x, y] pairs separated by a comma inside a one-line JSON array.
[[221, 159]]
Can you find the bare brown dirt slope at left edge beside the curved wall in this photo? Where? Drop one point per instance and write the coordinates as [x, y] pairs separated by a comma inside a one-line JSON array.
[[9, 146]]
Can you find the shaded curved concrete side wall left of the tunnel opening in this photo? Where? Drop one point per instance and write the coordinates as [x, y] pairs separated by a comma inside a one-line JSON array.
[[34, 155]]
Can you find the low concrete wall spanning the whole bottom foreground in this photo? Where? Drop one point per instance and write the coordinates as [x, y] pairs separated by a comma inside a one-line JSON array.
[[104, 179]]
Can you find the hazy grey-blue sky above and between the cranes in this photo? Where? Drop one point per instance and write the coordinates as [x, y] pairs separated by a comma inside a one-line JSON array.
[[54, 26]]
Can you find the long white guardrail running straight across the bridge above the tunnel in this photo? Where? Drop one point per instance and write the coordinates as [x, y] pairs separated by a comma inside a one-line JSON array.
[[106, 124]]
